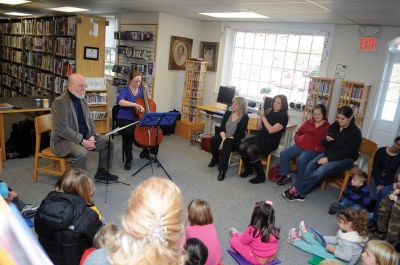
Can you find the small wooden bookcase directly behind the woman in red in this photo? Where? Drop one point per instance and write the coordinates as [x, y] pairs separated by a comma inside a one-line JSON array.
[[319, 92]]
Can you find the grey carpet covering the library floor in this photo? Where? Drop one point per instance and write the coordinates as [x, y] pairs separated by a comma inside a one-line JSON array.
[[231, 200]]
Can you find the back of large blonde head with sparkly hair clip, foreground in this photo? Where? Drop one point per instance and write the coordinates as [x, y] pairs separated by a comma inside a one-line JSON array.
[[151, 226]]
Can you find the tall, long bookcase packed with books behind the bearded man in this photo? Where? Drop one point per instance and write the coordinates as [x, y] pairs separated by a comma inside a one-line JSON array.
[[38, 54]]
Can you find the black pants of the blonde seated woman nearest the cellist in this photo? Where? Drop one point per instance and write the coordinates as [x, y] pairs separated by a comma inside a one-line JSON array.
[[230, 144]]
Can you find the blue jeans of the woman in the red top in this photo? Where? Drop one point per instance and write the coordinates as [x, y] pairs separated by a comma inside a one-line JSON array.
[[303, 157]]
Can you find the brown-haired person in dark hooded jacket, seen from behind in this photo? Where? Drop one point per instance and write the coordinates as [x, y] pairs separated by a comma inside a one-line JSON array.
[[64, 222]]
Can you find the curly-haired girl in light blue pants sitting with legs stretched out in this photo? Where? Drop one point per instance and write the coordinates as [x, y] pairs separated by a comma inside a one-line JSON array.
[[346, 246]]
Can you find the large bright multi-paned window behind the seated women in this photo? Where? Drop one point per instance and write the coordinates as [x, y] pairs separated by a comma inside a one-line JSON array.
[[280, 62]]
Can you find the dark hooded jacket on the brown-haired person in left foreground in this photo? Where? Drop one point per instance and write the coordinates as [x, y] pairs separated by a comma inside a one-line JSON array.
[[65, 227]]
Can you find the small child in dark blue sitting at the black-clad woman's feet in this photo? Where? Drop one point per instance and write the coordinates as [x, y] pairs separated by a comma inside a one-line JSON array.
[[356, 195]]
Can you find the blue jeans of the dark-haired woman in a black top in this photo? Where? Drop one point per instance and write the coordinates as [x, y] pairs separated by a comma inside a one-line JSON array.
[[315, 173]]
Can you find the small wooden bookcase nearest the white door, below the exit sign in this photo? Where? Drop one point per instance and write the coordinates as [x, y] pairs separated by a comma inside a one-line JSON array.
[[355, 95]]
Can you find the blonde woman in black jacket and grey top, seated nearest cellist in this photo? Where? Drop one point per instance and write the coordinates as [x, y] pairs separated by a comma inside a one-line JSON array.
[[233, 130]]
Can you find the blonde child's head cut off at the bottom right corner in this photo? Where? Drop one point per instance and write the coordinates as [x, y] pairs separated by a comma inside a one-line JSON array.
[[379, 252]]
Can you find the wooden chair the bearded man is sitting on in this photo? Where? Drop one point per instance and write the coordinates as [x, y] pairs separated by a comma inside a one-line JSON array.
[[59, 166]]
